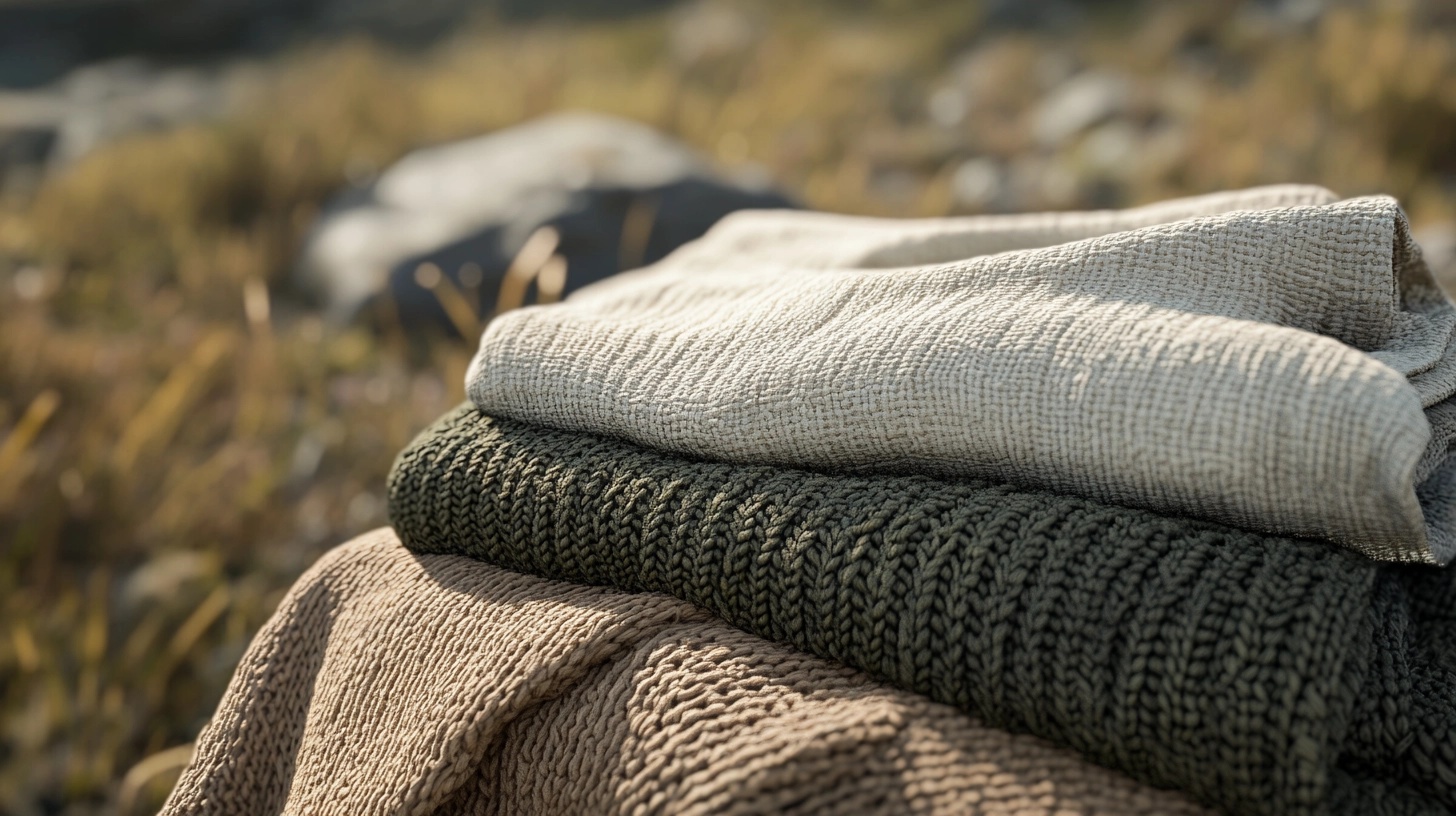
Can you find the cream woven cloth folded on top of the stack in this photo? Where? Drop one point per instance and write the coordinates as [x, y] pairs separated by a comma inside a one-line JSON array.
[[1270, 359]]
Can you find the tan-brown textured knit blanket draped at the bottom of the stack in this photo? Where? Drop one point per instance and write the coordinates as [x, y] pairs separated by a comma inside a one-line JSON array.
[[391, 683]]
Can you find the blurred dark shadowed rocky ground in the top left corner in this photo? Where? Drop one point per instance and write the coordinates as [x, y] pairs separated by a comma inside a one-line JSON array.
[[79, 74]]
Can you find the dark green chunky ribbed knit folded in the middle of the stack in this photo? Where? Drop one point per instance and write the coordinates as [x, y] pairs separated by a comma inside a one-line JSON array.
[[1259, 674]]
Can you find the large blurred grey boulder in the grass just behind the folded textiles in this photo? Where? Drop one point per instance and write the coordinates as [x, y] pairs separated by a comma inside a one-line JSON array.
[[445, 224]]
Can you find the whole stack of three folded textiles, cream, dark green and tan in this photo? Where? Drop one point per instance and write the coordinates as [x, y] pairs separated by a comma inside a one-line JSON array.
[[1166, 489]]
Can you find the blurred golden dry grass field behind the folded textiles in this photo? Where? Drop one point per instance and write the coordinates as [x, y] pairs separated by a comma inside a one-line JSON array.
[[178, 441]]
